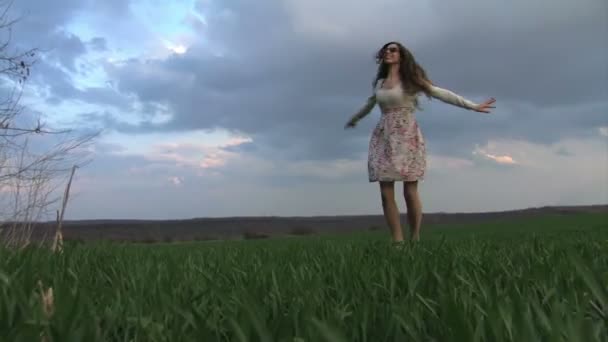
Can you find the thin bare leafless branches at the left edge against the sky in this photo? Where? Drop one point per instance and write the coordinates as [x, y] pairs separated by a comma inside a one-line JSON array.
[[35, 160]]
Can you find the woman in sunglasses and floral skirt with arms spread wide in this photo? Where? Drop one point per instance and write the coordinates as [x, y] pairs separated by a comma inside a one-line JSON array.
[[397, 149]]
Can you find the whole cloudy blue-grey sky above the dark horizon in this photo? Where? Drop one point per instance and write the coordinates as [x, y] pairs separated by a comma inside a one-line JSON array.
[[235, 107]]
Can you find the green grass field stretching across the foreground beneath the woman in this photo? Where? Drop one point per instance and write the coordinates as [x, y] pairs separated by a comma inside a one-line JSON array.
[[540, 279]]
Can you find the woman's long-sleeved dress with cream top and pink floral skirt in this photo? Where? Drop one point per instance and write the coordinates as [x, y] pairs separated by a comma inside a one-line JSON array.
[[397, 150]]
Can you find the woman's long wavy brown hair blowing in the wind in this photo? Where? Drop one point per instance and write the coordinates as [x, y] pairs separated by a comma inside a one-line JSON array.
[[413, 77]]
